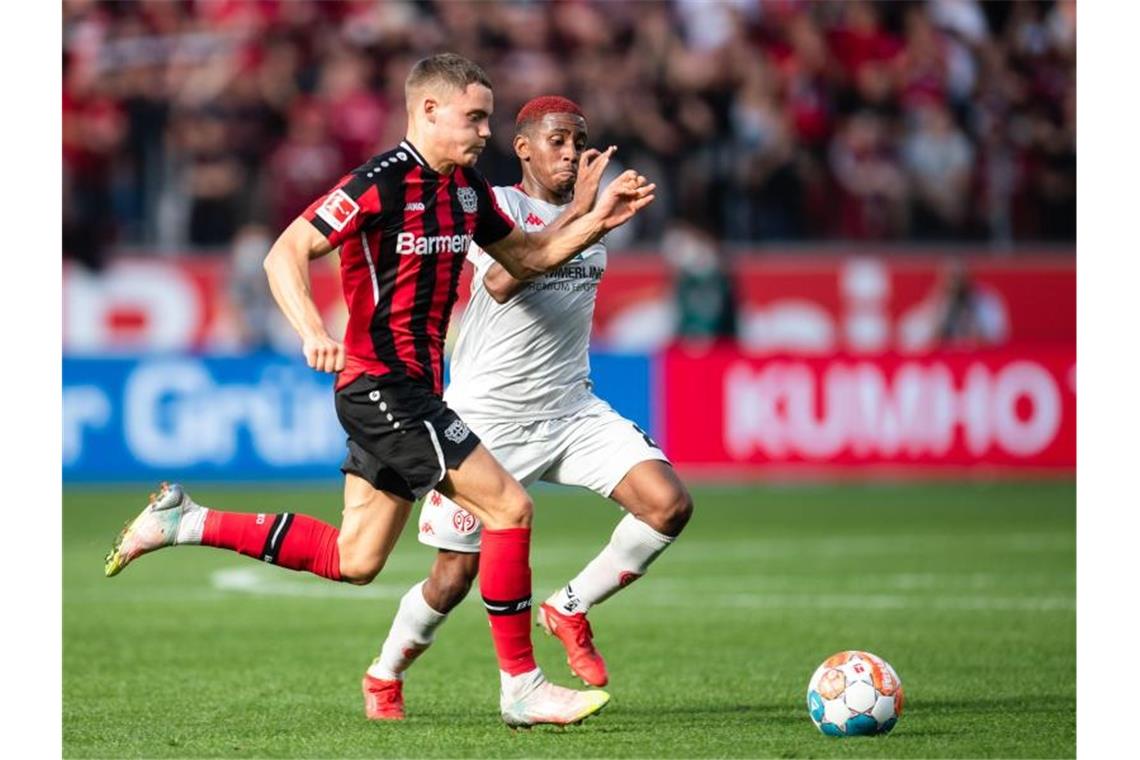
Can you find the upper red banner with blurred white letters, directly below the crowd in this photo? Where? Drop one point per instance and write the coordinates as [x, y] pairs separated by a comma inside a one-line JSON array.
[[801, 304]]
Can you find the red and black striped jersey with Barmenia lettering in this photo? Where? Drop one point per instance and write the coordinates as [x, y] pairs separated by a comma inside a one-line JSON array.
[[404, 233]]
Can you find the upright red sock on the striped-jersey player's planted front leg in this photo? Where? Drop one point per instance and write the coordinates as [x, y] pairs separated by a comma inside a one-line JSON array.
[[504, 582]]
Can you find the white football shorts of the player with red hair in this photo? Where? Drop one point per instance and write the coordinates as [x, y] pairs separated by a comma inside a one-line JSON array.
[[595, 450]]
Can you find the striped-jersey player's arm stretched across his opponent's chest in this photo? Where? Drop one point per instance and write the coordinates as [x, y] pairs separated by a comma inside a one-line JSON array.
[[530, 255]]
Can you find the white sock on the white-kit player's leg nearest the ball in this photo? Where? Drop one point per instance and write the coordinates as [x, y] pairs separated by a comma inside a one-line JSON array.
[[632, 550]]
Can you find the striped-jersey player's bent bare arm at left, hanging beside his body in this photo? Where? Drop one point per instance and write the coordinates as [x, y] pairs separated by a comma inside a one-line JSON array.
[[288, 269]]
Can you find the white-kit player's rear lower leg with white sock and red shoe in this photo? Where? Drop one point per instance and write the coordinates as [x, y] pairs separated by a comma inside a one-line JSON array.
[[422, 610]]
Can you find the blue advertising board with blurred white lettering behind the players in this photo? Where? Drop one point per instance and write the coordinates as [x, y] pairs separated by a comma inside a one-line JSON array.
[[240, 419]]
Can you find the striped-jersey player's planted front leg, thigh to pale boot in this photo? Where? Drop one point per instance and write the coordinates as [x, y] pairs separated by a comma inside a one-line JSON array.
[[483, 487]]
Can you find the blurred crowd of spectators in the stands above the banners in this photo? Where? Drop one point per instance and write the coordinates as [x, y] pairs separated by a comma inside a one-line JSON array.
[[186, 122]]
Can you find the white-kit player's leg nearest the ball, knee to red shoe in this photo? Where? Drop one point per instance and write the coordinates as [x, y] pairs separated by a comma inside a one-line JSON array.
[[659, 506]]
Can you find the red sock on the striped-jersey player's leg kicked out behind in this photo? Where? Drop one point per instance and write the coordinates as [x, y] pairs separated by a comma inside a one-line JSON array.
[[287, 540]]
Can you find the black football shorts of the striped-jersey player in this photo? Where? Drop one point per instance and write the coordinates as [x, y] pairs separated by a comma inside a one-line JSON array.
[[403, 438]]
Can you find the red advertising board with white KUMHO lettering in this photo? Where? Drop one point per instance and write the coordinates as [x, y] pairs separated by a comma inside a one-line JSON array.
[[728, 413]]
